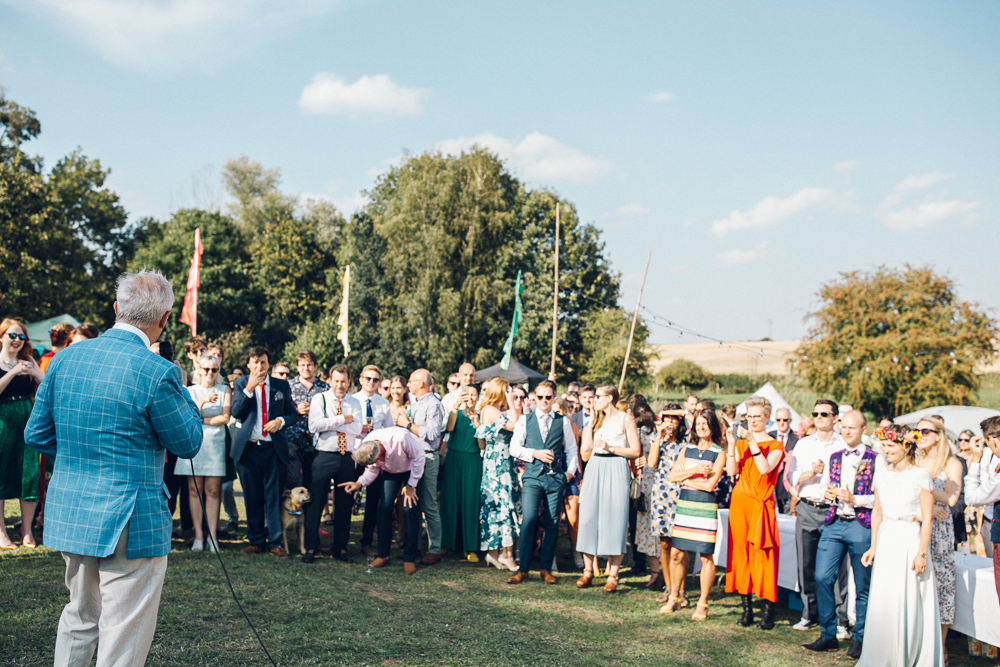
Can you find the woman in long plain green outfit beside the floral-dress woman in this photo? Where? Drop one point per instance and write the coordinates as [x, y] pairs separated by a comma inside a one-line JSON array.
[[463, 472]]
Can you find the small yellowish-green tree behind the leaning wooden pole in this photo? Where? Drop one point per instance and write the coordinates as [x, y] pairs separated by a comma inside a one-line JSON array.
[[605, 341]]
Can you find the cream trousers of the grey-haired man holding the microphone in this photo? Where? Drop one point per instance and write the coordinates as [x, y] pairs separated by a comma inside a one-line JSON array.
[[113, 603]]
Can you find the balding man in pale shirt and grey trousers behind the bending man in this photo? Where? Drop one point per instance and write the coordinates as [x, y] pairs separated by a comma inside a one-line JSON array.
[[427, 423]]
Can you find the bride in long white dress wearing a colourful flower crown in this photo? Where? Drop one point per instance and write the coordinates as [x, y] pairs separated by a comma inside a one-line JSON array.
[[902, 623]]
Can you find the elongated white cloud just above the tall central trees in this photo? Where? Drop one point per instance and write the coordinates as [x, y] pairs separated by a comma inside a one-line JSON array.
[[537, 157]]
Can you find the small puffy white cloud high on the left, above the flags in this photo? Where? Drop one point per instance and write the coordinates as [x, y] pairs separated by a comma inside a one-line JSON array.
[[327, 93]]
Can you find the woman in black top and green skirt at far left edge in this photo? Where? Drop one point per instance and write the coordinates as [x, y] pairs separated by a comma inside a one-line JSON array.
[[19, 471]]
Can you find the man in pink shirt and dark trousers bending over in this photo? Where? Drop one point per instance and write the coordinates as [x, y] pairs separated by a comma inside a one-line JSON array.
[[398, 456]]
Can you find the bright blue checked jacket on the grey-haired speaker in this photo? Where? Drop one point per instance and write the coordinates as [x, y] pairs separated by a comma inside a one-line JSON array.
[[105, 411]]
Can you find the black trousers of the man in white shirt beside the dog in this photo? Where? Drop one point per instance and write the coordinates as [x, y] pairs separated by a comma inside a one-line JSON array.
[[337, 468]]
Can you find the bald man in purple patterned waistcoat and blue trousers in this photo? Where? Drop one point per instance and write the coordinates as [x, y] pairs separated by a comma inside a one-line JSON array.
[[848, 483]]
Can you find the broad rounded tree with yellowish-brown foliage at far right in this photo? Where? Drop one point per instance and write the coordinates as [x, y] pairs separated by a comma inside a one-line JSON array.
[[892, 341]]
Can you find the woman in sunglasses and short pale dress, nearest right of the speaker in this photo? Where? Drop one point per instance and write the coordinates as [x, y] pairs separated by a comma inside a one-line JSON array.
[[206, 470]]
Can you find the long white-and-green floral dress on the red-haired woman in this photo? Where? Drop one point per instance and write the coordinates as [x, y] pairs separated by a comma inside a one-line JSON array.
[[501, 498]]
